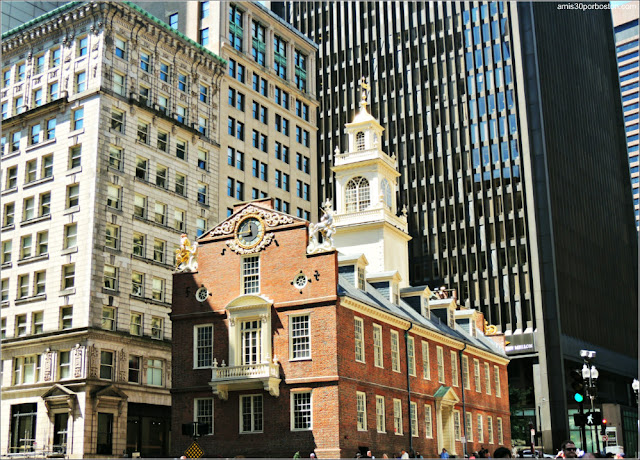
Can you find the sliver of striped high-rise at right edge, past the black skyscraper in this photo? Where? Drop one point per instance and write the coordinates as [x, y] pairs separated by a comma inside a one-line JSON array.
[[625, 23]]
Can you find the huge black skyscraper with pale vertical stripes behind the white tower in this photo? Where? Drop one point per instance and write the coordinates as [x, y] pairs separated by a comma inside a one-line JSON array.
[[506, 122]]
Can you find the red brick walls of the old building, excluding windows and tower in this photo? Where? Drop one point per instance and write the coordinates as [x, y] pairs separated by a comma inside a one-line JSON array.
[[332, 374]]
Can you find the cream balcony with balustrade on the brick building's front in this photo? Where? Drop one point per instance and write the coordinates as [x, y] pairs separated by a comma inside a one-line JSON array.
[[246, 377]]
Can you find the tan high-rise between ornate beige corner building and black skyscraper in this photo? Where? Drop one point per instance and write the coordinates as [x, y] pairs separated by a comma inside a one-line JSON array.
[[267, 105]]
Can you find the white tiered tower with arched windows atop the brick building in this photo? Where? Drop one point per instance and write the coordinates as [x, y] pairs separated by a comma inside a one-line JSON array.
[[366, 217]]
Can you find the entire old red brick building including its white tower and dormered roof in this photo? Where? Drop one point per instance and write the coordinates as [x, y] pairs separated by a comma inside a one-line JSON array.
[[283, 345]]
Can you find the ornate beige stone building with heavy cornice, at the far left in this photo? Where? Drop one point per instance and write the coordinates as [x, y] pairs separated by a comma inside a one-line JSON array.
[[109, 152]]
